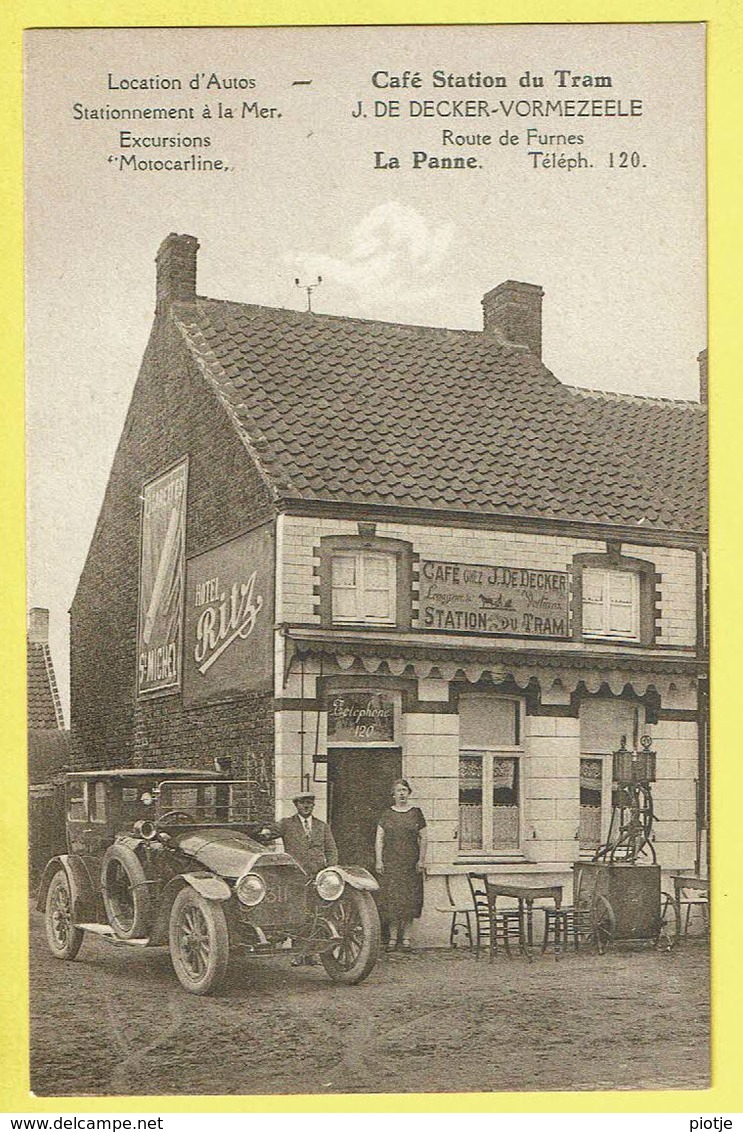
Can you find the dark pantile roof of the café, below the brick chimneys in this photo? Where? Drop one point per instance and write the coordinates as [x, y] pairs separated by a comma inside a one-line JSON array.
[[360, 411]]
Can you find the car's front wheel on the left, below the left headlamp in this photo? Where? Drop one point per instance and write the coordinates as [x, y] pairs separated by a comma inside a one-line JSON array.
[[200, 942]]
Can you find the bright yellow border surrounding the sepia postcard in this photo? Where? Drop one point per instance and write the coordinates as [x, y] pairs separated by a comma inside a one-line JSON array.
[[725, 45]]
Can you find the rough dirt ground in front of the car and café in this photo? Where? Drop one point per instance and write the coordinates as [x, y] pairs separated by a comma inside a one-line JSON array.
[[117, 1023]]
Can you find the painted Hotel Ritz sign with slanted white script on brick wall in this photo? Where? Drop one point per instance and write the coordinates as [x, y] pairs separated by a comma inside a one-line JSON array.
[[229, 619]]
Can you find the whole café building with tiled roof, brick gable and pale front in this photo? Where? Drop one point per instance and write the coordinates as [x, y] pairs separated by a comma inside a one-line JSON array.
[[335, 550]]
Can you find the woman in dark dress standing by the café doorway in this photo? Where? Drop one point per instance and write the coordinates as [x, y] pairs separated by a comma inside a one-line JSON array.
[[402, 856]]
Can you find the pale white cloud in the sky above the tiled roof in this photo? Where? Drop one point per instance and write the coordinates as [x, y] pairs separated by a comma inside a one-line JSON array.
[[392, 258]]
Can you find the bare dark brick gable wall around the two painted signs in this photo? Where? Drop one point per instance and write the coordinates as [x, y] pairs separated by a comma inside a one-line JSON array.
[[173, 415]]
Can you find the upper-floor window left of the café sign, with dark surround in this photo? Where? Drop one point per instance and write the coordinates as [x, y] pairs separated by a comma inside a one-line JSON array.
[[365, 580]]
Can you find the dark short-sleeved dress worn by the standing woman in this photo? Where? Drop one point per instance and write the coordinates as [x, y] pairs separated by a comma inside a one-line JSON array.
[[402, 886]]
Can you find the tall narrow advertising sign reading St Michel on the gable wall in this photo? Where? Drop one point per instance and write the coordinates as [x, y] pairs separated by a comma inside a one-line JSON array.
[[161, 582]]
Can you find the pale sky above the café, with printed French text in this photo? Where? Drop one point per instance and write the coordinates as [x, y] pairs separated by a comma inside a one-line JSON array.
[[618, 244]]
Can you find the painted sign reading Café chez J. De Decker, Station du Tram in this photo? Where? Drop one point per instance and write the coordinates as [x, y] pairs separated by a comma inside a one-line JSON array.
[[507, 601]]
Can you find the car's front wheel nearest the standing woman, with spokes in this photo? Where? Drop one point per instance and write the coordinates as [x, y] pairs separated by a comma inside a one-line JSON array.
[[355, 923]]
